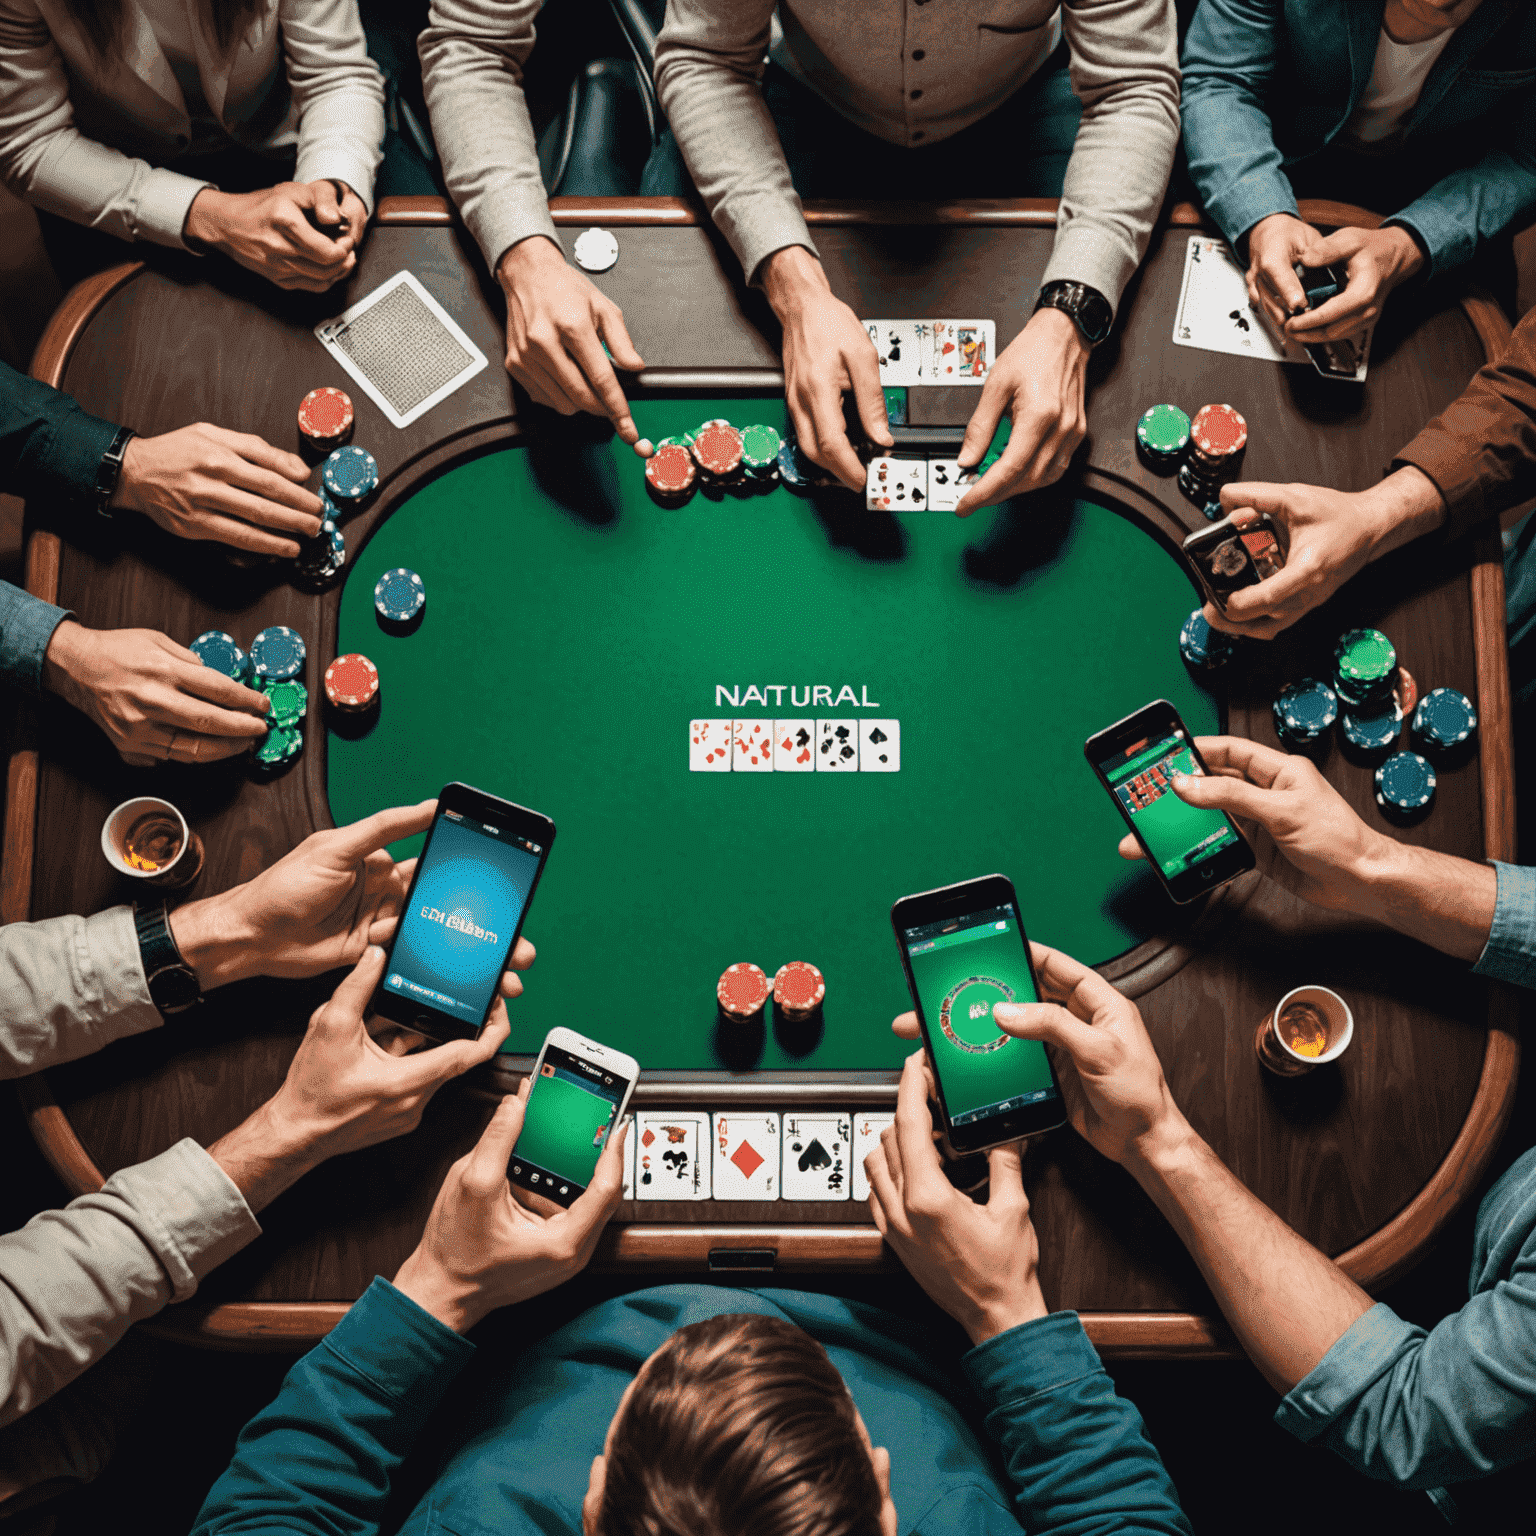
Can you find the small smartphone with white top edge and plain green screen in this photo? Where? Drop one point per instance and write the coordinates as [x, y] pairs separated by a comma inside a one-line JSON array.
[[581, 1090]]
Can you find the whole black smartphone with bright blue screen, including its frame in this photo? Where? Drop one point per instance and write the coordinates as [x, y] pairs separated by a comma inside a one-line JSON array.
[[463, 915]]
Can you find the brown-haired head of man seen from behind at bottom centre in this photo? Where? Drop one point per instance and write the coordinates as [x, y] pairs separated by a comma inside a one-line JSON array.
[[741, 1426]]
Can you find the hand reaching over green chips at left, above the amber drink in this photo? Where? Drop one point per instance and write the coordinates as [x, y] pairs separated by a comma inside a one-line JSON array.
[[154, 700]]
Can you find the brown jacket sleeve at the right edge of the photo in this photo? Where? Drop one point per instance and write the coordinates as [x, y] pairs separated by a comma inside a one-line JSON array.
[[1481, 451]]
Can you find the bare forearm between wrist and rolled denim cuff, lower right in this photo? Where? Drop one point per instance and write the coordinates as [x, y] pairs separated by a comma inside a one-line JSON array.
[[1285, 1300]]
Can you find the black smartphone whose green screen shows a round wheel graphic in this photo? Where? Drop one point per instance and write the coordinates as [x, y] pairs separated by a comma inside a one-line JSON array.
[[964, 950]]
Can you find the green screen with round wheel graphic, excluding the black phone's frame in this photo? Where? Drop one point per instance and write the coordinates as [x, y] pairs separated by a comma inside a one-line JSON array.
[[959, 968]]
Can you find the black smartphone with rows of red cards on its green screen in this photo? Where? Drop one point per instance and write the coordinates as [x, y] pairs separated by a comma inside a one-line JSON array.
[[1190, 850]]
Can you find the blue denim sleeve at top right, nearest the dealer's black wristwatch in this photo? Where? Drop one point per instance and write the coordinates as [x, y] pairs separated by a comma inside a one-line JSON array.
[[1231, 53]]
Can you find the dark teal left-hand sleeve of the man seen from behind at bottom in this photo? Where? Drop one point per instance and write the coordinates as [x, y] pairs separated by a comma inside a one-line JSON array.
[[320, 1458]]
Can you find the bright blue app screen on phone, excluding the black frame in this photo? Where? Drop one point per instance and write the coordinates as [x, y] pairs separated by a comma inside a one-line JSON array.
[[471, 892]]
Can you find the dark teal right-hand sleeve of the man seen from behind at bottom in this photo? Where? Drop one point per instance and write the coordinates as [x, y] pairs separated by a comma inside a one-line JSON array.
[[1076, 1452]]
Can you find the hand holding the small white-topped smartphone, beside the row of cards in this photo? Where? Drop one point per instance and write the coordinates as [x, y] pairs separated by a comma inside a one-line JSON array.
[[483, 1250]]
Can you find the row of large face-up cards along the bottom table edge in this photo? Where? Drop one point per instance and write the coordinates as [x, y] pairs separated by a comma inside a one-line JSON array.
[[750, 1156]]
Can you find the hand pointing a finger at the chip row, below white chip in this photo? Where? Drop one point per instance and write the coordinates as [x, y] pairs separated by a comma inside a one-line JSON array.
[[557, 326]]
